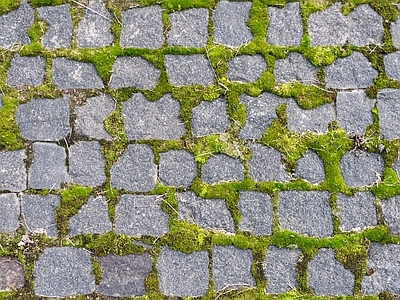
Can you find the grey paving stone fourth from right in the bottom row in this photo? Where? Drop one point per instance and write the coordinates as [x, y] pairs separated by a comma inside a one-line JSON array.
[[232, 268]]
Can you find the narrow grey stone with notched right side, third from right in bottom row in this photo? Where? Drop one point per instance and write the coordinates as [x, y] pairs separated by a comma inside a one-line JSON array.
[[280, 269]]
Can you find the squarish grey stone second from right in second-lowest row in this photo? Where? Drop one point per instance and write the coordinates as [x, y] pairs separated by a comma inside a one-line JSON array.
[[356, 213]]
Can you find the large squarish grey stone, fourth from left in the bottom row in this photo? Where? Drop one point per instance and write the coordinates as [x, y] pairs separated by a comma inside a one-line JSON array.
[[183, 274]]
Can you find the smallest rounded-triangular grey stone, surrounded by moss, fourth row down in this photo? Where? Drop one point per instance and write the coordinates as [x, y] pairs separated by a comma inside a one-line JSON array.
[[310, 167]]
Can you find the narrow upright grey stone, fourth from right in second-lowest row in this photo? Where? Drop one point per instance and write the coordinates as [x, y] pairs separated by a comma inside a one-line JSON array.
[[256, 210]]
